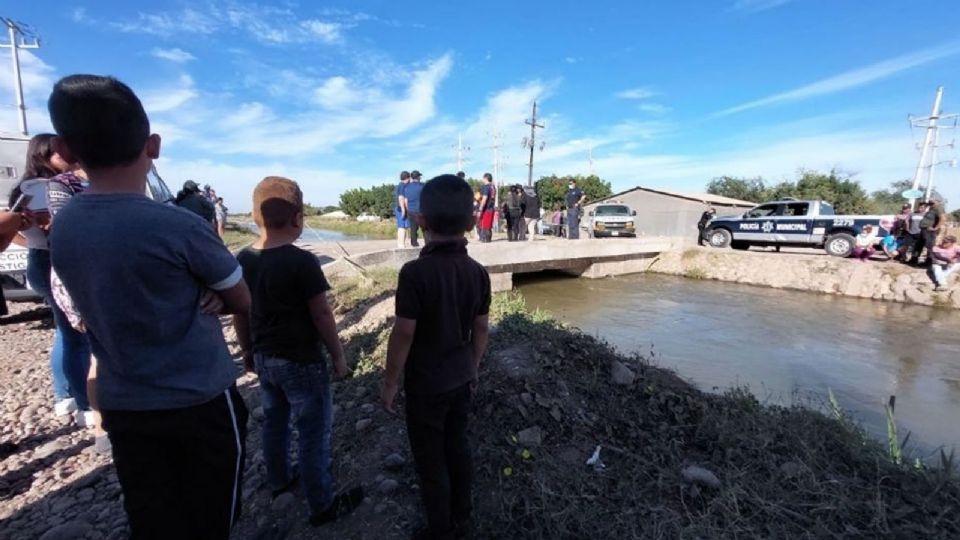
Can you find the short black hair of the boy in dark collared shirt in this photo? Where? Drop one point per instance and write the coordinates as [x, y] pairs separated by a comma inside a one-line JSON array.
[[447, 205]]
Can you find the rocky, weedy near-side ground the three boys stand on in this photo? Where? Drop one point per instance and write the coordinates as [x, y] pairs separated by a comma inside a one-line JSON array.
[[673, 462]]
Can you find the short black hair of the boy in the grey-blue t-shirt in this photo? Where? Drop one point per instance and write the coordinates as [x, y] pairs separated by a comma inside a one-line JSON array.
[[100, 120]]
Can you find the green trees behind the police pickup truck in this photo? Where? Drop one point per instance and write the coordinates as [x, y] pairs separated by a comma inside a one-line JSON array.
[[840, 189]]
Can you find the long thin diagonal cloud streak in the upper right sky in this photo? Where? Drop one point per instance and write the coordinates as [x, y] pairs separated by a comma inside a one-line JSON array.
[[850, 79]]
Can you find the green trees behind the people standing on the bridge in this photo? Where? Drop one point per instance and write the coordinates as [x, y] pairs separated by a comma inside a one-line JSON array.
[[381, 200]]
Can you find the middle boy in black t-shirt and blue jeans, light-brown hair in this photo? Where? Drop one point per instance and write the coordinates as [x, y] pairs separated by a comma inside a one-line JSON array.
[[283, 339]]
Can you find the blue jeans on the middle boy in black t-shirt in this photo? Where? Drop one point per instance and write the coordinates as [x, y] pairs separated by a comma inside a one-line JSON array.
[[302, 389]]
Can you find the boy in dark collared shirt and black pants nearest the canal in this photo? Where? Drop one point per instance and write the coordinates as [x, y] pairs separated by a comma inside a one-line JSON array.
[[438, 339]]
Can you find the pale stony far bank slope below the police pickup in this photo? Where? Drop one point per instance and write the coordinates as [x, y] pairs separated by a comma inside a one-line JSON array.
[[815, 273]]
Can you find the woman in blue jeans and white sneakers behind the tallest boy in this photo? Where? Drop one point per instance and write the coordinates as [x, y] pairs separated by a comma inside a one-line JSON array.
[[70, 354]]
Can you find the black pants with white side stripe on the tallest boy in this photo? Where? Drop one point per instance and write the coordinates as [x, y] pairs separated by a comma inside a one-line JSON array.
[[181, 469]]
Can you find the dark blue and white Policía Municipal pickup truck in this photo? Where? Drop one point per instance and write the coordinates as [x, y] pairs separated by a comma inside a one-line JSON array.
[[793, 223]]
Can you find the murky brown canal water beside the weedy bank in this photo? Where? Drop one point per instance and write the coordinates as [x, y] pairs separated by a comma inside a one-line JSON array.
[[787, 347]]
